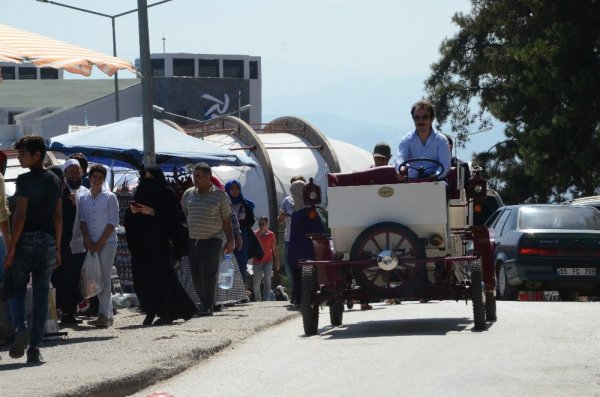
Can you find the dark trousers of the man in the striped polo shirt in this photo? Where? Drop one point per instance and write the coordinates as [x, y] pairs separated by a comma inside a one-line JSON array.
[[204, 264]]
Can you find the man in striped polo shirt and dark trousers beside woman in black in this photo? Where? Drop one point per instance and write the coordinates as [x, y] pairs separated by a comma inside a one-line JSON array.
[[208, 213]]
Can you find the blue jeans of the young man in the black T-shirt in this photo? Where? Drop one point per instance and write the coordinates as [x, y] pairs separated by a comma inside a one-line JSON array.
[[36, 254]]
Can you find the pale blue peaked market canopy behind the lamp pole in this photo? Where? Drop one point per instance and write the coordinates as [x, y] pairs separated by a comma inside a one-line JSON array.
[[123, 142]]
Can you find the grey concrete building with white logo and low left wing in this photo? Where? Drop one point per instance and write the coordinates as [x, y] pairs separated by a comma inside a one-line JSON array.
[[40, 101]]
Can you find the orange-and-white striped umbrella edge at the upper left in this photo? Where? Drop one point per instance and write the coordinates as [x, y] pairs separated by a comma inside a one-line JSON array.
[[18, 45]]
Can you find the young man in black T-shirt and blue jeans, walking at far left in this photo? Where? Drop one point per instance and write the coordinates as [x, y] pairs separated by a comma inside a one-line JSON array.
[[35, 244]]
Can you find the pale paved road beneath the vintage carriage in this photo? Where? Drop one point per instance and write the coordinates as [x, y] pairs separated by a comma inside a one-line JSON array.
[[535, 349]]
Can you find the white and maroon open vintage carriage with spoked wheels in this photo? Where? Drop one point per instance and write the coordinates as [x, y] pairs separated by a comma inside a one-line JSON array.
[[399, 240]]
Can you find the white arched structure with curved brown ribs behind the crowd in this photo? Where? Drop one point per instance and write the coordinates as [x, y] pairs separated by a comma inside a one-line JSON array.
[[277, 148]]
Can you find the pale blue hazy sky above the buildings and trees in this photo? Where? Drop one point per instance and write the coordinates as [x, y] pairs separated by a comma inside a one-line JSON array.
[[305, 46]]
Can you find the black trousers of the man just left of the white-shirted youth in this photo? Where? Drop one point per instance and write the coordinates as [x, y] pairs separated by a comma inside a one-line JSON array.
[[65, 279]]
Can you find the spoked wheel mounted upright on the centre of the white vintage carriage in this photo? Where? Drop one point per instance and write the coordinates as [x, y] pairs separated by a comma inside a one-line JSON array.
[[404, 244]]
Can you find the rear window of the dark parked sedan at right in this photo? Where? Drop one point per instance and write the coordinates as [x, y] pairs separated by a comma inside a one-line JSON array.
[[574, 218]]
